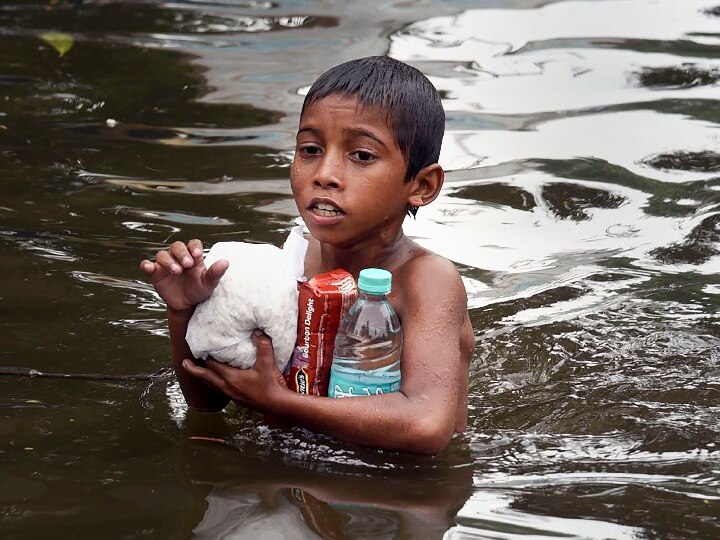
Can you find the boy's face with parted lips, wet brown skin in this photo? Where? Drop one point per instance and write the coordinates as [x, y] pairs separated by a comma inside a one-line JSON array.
[[348, 174]]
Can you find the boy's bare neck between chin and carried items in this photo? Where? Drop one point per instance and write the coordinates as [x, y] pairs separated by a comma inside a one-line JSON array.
[[382, 251]]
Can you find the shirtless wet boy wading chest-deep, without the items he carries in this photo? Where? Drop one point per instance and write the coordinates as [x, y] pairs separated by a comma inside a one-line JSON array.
[[367, 150]]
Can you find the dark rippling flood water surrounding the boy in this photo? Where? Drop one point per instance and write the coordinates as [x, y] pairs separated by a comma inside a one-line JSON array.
[[582, 207]]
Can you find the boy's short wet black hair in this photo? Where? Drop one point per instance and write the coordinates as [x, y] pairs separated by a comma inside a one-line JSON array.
[[412, 104]]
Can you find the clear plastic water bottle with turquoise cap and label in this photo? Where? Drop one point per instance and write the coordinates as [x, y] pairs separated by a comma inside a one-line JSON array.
[[368, 344]]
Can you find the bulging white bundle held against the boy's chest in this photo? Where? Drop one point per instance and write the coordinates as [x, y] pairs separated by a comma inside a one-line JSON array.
[[258, 290]]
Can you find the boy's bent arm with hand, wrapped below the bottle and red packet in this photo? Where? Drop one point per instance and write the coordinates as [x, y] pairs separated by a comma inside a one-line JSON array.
[[421, 417]]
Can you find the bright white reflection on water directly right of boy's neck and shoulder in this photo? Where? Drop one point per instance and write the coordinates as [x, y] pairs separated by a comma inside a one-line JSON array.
[[512, 240]]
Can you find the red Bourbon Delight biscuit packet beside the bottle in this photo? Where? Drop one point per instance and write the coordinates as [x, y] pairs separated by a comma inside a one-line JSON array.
[[322, 302]]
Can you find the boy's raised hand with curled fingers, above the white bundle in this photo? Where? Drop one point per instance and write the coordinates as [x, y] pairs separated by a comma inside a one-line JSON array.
[[180, 277]]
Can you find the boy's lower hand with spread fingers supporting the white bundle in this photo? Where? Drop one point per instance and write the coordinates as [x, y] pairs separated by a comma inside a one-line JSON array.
[[255, 387]]
